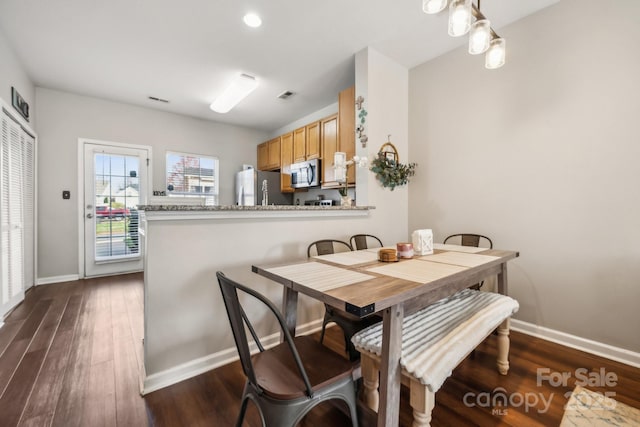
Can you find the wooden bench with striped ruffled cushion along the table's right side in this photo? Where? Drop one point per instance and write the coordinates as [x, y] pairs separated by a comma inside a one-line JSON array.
[[435, 340]]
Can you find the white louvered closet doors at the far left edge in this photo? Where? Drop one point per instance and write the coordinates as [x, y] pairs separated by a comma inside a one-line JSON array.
[[17, 159]]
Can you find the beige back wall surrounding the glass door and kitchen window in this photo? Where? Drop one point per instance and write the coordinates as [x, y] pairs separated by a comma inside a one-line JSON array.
[[66, 117]]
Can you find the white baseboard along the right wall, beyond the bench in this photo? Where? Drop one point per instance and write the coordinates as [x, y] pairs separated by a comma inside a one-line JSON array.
[[599, 349]]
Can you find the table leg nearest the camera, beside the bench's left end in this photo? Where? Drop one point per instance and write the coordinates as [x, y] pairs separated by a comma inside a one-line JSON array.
[[390, 371]]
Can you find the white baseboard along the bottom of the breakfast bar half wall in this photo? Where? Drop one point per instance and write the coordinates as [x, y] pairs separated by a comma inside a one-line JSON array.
[[196, 367]]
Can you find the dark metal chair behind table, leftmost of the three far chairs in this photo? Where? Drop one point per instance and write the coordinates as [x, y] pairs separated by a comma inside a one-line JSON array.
[[349, 323]]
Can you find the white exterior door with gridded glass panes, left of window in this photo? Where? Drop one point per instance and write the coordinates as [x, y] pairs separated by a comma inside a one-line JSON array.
[[115, 182]]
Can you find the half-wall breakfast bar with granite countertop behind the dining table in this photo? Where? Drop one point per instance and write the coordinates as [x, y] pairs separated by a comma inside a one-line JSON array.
[[186, 330]]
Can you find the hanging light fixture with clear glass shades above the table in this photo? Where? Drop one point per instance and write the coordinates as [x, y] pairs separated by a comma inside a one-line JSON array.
[[482, 38]]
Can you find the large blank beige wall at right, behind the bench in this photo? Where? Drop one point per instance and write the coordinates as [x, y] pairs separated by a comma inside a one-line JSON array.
[[542, 155]]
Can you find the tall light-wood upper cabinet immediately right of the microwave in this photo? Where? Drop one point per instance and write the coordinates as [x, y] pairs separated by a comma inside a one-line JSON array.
[[338, 133]]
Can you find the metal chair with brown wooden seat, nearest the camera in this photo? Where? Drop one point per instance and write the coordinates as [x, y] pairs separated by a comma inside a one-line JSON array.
[[286, 381]]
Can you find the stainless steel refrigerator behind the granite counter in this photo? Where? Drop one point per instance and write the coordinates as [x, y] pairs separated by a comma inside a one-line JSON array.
[[252, 186]]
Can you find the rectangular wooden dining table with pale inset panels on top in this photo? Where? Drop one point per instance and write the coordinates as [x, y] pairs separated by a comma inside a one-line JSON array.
[[357, 283]]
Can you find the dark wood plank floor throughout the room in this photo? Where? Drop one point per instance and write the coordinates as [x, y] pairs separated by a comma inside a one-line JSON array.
[[71, 353]]
